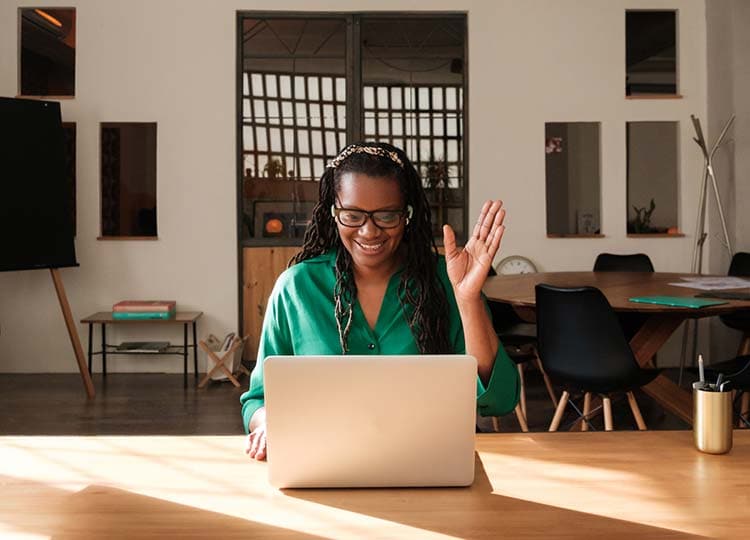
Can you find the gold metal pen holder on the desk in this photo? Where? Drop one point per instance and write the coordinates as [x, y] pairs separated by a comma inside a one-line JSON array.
[[712, 420]]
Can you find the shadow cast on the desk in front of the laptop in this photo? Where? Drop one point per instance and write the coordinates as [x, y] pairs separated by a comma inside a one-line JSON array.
[[475, 512]]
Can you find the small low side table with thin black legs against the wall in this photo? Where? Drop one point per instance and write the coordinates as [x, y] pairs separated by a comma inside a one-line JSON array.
[[186, 318]]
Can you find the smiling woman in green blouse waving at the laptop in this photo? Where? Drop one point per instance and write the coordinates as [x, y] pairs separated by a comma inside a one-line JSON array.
[[369, 280]]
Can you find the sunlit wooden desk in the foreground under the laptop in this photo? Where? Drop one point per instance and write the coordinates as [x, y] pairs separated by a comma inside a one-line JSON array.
[[627, 485]]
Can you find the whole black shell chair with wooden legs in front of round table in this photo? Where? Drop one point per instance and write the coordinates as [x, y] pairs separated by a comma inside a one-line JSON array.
[[583, 349]]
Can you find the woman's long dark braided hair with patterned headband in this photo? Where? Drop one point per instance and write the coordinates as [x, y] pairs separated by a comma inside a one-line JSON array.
[[421, 294]]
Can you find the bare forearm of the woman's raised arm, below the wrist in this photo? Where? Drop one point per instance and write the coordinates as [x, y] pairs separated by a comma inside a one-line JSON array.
[[479, 335]]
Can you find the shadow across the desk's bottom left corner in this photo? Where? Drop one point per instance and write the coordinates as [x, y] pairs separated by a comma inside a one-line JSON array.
[[107, 512]]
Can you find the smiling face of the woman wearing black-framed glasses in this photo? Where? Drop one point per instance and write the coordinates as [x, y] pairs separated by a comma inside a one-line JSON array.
[[369, 245]]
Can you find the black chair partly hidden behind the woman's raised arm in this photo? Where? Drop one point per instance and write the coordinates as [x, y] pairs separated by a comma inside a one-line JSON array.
[[519, 340]]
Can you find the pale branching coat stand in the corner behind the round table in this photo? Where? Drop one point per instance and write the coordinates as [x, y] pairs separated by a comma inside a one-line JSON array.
[[700, 227]]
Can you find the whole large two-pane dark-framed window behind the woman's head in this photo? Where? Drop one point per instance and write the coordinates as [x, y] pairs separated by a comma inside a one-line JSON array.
[[298, 75]]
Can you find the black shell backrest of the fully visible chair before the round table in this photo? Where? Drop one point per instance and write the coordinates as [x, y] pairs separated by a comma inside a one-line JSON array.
[[580, 339]]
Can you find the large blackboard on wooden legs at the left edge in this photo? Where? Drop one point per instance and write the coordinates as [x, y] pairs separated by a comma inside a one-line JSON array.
[[36, 221]]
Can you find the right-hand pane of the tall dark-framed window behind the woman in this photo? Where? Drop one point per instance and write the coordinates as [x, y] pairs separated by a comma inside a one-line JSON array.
[[412, 97]]
